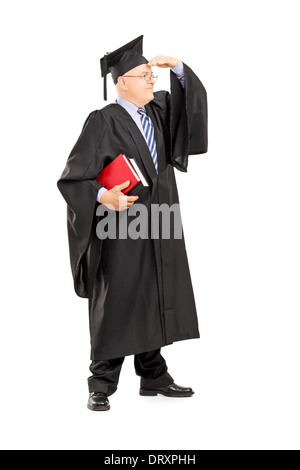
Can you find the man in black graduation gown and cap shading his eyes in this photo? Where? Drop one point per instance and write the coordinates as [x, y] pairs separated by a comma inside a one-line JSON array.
[[139, 289]]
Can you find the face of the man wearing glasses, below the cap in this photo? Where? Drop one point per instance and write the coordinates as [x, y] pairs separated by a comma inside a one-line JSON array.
[[139, 90]]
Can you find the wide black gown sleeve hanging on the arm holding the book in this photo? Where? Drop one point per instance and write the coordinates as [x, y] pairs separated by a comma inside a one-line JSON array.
[[79, 188]]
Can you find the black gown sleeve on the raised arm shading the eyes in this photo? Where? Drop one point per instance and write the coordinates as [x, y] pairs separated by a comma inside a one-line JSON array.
[[186, 113]]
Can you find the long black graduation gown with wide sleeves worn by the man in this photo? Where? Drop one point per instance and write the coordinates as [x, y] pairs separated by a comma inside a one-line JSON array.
[[140, 291]]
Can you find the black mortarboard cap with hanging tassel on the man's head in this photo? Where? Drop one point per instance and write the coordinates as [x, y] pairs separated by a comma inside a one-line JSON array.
[[122, 60]]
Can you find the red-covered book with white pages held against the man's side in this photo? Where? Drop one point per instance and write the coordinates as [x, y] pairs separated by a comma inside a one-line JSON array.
[[120, 170]]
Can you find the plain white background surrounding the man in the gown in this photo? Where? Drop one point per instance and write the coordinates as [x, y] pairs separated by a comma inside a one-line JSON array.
[[240, 210]]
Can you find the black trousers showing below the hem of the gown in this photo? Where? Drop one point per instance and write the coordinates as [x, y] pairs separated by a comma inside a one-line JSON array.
[[150, 366]]
